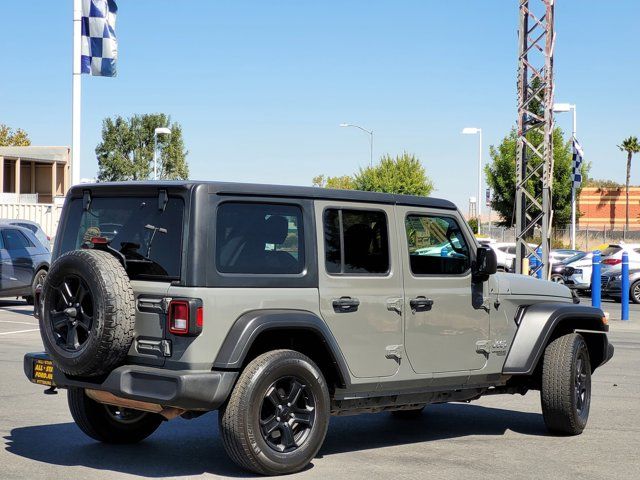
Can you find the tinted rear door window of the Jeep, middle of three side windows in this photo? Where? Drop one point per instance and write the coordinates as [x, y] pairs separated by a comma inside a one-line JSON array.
[[356, 242]]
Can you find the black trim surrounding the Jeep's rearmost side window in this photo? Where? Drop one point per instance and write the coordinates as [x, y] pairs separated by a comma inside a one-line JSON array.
[[301, 241]]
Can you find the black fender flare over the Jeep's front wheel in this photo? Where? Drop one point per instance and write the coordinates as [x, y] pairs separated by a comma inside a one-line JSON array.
[[537, 325]]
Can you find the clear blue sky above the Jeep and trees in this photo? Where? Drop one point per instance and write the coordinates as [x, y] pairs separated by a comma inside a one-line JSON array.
[[261, 86]]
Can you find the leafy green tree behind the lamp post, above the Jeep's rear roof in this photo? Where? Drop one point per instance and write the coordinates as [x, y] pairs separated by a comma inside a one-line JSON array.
[[126, 150]]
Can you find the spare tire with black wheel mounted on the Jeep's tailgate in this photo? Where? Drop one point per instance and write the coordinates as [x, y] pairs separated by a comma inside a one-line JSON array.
[[88, 313]]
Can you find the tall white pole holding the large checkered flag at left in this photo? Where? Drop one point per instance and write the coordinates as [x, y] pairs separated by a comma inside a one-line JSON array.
[[76, 93]]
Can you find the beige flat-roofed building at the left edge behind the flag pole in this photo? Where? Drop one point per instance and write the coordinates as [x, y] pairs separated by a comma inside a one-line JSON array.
[[33, 174]]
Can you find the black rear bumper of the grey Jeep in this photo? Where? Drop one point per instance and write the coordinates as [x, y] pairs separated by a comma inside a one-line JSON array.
[[186, 389]]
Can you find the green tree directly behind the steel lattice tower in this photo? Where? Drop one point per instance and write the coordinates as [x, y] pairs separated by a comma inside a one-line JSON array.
[[501, 177]]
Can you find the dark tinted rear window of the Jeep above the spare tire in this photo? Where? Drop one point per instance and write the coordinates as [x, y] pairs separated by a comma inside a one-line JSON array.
[[150, 239]]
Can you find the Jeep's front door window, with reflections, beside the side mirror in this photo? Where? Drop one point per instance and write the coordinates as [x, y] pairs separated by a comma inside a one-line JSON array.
[[436, 245]]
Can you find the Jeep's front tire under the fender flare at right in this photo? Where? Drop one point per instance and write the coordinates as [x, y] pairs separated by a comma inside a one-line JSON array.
[[558, 391]]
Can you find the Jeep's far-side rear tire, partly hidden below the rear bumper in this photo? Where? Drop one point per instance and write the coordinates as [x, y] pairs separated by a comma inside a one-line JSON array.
[[94, 419]]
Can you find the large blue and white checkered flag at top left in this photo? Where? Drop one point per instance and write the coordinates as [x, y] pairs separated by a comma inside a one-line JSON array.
[[99, 44]]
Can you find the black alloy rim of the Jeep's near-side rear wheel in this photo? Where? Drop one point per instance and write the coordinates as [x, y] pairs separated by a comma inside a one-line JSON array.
[[287, 414]]
